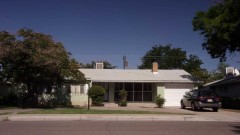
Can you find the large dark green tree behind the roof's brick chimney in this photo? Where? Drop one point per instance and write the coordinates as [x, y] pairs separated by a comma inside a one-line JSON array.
[[173, 58]]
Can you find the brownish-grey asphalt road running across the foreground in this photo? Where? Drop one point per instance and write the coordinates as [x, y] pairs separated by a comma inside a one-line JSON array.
[[118, 128]]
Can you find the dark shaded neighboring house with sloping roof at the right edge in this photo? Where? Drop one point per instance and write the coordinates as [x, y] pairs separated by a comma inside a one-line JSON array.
[[228, 87]]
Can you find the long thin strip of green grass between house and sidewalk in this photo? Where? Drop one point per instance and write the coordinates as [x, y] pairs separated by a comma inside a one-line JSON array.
[[92, 111]]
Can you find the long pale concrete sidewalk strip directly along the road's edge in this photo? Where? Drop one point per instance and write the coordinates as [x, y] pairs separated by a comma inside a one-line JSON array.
[[95, 117]]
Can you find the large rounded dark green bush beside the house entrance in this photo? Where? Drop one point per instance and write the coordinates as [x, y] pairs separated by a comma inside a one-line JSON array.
[[96, 93]]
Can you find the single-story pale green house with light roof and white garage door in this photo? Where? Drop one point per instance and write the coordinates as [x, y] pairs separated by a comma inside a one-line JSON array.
[[141, 85]]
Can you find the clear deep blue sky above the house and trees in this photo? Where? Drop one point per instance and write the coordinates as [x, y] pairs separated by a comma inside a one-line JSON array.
[[109, 29]]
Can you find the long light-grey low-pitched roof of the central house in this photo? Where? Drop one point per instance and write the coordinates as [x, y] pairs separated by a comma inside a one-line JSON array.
[[137, 75]]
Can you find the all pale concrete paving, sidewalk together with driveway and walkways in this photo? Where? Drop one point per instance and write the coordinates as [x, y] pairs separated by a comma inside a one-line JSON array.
[[206, 115]]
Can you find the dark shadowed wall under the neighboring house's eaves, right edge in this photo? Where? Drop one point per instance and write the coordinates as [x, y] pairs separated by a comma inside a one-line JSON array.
[[230, 90]]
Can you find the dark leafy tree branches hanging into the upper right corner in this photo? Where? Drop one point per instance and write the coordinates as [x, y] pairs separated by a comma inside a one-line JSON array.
[[220, 26]]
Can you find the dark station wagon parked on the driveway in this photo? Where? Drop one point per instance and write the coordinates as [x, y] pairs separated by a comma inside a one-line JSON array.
[[199, 99]]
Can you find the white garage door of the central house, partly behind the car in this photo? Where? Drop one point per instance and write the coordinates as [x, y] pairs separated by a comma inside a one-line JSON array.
[[173, 93]]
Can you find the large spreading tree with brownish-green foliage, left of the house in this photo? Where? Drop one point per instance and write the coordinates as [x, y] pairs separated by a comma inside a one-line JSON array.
[[37, 61]]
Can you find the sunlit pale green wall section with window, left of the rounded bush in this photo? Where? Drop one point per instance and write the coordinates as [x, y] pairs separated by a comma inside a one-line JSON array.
[[78, 97]]
